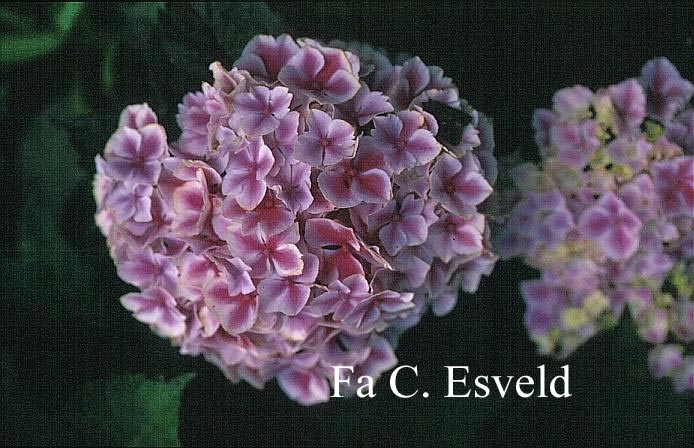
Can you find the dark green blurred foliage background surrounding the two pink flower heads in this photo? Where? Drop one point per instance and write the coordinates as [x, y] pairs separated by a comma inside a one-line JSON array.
[[64, 335]]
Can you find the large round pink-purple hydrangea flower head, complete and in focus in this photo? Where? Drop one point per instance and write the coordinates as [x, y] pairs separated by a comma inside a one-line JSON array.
[[307, 215]]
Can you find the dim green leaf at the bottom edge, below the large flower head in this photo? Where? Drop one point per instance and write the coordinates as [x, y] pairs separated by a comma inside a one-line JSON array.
[[127, 410]]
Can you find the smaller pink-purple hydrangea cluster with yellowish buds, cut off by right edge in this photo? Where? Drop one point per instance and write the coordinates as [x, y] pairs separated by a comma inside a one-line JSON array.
[[608, 218]]
